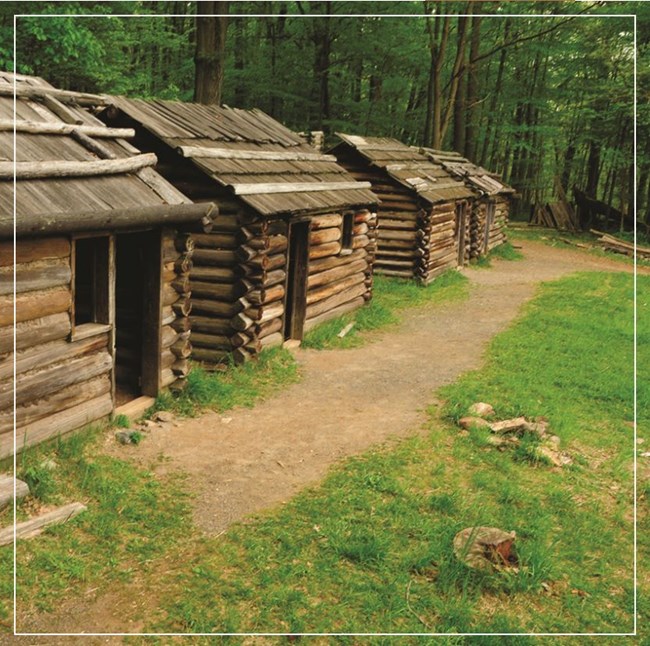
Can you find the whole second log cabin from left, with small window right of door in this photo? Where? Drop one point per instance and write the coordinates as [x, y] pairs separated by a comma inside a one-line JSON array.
[[294, 242]]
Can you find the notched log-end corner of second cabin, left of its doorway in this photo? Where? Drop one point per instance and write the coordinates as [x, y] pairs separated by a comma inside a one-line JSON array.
[[262, 258]]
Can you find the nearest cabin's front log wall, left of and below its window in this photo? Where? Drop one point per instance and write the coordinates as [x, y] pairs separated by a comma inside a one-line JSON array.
[[61, 384]]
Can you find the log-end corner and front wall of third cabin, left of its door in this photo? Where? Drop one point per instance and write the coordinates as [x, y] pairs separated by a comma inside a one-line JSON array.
[[436, 242]]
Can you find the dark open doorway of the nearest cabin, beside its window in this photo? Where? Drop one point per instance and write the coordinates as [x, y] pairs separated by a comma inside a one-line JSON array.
[[137, 315]]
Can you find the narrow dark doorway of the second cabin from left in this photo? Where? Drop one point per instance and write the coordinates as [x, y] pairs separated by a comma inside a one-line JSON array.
[[297, 272]]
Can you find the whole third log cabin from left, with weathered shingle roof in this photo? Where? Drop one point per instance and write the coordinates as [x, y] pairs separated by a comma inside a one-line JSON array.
[[423, 227]]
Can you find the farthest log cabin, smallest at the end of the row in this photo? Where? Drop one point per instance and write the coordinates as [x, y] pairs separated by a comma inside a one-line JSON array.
[[490, 209]]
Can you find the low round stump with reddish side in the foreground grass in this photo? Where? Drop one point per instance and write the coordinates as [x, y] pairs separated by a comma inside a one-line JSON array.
[[485, 548]]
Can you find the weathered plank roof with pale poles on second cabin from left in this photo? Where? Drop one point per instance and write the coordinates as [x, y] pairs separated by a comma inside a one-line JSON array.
[[269, 167]]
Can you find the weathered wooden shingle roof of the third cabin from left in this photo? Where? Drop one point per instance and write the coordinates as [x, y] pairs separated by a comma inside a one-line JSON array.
[[409, 167]]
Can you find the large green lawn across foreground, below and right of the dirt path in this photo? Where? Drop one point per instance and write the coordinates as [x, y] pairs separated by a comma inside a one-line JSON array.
[[369, 549]]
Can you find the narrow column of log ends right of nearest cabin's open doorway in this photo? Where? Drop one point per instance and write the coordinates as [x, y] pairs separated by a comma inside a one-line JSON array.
[[175, 331]]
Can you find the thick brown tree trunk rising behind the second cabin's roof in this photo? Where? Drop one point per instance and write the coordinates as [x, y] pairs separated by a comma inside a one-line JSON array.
[[210, 50]]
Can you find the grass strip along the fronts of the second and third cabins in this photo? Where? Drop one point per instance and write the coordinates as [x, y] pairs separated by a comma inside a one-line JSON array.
[[390, 296]]
